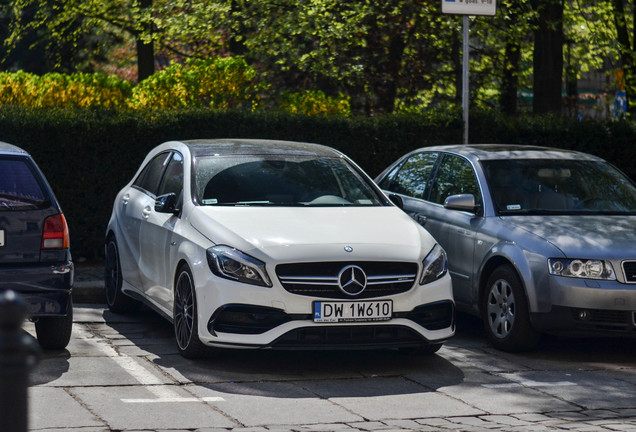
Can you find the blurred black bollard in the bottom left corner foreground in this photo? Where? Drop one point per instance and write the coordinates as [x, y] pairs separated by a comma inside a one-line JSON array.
[[18, 355]]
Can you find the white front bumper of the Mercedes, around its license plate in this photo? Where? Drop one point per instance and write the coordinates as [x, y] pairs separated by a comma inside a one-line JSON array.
[[241, 316]]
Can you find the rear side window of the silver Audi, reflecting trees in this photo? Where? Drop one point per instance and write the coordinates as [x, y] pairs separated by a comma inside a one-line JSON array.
[[413, 177]]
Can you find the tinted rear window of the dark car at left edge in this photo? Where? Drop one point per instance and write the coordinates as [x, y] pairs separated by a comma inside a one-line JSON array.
[[20, 188]]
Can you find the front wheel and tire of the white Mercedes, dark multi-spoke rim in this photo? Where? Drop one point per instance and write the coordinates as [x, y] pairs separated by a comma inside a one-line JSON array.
[[185, 316]]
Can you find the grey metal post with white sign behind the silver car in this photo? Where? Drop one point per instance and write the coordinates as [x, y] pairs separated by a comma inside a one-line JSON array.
[[466, 8]]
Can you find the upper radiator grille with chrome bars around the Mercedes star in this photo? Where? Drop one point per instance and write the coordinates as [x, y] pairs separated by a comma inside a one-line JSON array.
[[321, 279]]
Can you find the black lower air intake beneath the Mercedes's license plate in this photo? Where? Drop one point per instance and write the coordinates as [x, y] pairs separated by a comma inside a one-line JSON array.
[[349, 337]]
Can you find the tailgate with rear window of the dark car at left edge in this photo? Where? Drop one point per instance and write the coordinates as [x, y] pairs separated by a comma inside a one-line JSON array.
[[24, 205]]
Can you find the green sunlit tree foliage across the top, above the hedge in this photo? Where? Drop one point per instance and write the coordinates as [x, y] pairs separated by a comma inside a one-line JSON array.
[[403, 55]]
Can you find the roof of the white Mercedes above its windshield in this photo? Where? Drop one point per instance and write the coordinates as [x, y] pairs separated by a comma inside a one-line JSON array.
[[237, 147]]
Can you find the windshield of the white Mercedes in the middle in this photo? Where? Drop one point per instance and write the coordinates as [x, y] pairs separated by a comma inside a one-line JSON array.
[[281, 181]]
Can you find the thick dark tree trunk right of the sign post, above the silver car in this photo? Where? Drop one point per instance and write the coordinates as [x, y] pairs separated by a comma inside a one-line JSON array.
[[548, 57]]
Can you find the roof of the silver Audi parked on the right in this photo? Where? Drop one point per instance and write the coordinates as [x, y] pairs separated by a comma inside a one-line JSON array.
[[510, 151]]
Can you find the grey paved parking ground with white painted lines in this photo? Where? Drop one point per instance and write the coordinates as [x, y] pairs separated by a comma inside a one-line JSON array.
[[123, 373]]
